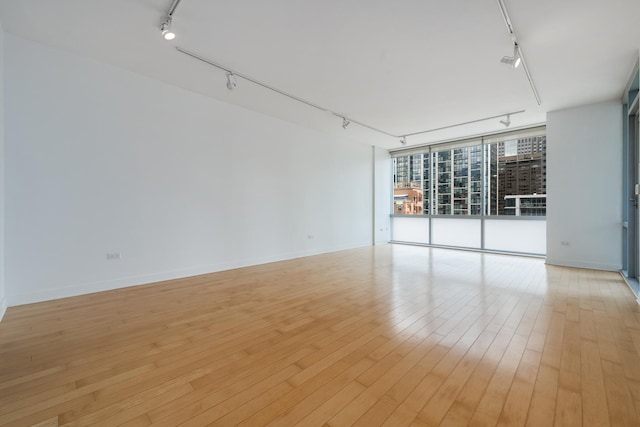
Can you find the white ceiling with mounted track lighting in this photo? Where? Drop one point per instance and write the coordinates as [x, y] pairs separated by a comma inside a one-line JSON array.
[[399, 66]]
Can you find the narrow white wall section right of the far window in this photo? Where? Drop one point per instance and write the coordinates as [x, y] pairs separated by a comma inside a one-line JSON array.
[[584, 181]]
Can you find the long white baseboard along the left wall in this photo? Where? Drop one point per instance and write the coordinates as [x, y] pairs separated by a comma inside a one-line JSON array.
[[143, 279]]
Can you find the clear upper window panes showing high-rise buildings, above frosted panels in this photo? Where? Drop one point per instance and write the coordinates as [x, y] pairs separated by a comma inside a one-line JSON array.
[[503, 175]]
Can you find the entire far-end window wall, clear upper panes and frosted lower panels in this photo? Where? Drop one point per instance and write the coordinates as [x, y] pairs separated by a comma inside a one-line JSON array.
[[482, 193]]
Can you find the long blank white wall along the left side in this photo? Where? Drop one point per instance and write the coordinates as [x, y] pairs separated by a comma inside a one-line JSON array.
[[102, 160]]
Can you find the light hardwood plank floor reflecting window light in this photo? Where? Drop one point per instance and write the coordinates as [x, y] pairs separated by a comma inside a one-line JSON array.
[[389, 335]]
